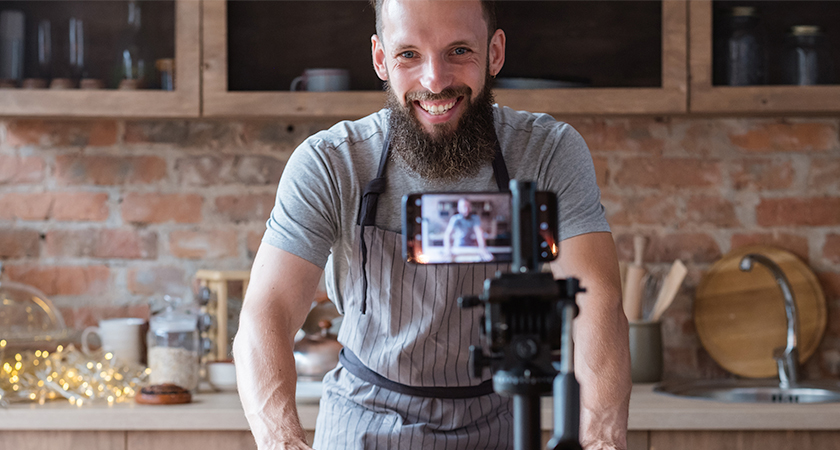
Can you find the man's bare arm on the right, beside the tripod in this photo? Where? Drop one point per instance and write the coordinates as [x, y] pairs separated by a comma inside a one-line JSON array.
[[602, 352]]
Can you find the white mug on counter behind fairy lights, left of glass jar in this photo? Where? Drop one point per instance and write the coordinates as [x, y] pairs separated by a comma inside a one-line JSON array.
[[125, 338]]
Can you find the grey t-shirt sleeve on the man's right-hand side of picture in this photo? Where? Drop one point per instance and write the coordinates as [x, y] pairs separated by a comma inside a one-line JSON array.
[[572, 177]]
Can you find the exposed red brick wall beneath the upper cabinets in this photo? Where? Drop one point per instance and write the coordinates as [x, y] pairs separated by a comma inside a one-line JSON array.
[[102, 215]]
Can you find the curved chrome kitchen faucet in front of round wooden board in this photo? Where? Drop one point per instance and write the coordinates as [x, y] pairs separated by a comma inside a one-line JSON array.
[[786, 358]]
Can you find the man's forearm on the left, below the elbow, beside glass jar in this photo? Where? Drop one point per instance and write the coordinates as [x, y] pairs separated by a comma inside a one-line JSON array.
[[265, 370]]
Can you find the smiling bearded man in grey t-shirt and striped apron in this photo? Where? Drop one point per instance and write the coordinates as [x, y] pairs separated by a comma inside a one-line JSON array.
[[403, 381]]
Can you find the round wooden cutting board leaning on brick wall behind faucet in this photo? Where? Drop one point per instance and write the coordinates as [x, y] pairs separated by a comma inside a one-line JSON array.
[[740, 316]]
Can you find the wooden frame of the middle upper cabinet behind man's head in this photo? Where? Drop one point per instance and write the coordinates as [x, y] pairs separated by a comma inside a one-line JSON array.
[[670, 98]]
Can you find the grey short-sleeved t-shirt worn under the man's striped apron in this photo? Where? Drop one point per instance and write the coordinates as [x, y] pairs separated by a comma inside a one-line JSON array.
[[318, 198]]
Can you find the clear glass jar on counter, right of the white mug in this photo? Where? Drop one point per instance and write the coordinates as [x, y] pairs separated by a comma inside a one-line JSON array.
[[174, 348]]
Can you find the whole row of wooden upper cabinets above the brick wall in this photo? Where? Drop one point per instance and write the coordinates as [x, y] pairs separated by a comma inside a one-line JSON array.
[[624, 57]]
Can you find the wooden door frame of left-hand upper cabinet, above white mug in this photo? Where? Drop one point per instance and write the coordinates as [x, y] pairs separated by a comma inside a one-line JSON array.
[[184, 101]]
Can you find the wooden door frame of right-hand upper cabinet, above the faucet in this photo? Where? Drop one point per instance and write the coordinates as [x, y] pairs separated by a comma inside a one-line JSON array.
[[706, 98]]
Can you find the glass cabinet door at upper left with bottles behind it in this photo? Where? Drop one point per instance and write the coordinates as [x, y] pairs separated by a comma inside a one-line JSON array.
[[99, 58]]
